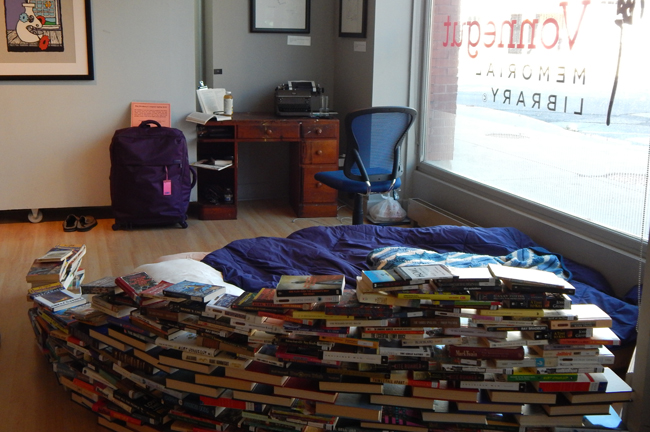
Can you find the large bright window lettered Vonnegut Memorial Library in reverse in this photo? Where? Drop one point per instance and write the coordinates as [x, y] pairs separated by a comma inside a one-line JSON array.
[[547, 101]]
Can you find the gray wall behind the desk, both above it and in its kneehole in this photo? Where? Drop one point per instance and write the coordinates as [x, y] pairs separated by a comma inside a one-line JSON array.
[[253, 65]]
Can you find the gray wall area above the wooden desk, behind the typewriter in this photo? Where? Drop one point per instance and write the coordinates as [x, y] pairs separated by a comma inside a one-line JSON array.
[[254, 64]]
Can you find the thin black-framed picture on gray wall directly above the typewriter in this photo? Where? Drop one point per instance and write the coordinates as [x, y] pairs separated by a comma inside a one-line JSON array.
[[279, 16]]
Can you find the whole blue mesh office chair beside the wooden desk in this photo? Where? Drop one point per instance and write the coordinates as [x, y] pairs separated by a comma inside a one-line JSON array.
[[373, 162]]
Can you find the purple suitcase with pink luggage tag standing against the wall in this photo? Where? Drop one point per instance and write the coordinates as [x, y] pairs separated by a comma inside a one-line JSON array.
[[151, 178]]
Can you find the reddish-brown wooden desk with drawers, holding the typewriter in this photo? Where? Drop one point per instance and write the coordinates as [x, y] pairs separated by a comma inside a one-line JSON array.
[[314, 148]]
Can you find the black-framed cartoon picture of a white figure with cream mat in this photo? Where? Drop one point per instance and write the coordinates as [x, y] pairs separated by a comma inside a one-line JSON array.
[[46, 40]]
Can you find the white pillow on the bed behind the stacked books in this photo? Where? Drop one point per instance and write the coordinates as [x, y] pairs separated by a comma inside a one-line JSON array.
[[178, 270]]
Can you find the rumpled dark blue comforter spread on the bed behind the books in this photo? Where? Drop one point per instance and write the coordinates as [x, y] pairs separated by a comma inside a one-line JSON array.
[[259, 262]]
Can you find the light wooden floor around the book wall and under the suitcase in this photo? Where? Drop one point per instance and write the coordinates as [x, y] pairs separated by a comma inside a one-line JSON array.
[[31, 400]]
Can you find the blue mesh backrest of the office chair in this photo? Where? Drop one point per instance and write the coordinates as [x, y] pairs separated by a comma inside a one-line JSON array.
[[374, 140]]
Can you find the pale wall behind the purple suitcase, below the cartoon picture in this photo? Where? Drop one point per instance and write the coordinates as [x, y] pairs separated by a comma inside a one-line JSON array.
[[54, 135]]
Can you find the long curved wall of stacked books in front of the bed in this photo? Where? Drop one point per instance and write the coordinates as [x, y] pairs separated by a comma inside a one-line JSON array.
[[441, 351]]
